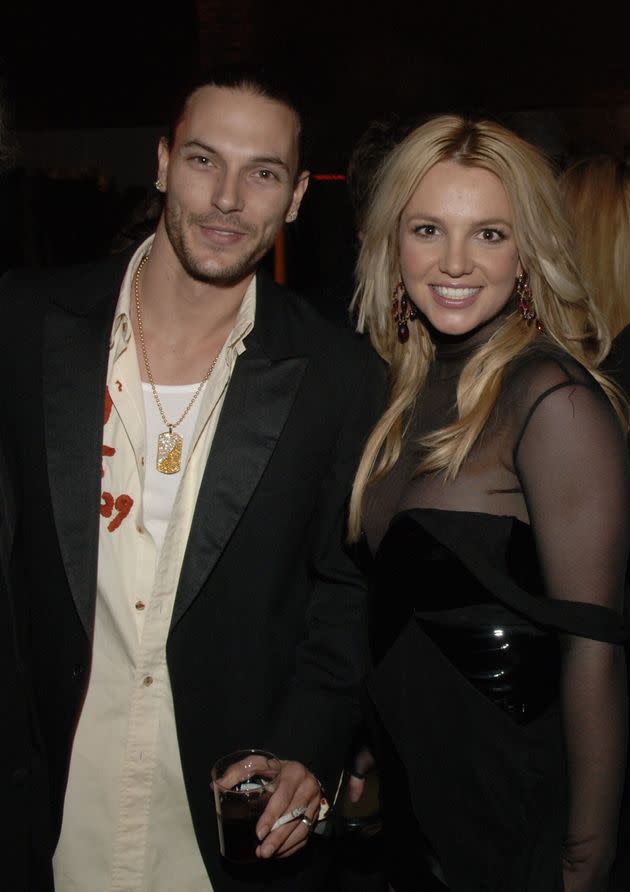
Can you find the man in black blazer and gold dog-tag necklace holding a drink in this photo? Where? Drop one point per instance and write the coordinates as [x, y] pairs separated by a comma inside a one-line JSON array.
[[212, 603]]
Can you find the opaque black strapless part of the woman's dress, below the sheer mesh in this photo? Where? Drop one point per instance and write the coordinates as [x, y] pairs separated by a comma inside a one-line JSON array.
[[456, 613]]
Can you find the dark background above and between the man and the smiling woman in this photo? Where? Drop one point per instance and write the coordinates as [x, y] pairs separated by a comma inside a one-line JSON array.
[[87, 88]]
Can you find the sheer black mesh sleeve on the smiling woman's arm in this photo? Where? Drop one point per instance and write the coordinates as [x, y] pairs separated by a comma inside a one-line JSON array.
[[572, 461]]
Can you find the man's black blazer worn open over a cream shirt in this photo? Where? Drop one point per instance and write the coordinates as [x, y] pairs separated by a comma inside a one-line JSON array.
[[267, 640]]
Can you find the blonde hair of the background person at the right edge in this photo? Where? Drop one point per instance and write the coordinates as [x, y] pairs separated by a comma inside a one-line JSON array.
[[597, 199]]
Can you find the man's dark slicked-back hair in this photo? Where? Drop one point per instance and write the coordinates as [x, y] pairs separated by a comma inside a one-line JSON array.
[[261, 80]]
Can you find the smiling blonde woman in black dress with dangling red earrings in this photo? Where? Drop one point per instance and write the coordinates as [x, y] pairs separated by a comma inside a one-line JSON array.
[[494, 496]]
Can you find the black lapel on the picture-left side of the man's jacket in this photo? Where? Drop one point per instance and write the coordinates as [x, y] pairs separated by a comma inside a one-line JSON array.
[[74, 378]]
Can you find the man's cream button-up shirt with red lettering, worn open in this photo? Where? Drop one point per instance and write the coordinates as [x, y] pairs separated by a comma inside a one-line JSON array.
[[126, 823]]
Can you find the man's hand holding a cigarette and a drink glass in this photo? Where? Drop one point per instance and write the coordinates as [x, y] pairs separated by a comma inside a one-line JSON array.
[[296, 790]]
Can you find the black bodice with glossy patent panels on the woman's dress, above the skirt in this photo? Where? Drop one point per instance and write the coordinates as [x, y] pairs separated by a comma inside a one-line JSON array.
[[513, 661]]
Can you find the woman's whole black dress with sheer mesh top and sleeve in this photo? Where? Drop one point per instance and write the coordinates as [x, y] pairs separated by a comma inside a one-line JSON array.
[[487, 592]]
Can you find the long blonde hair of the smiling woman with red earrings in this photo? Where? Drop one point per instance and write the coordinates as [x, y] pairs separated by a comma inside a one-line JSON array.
[[544, 243]]
